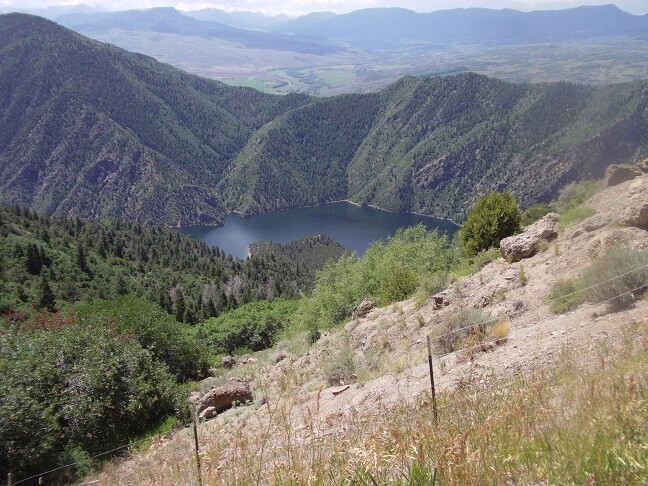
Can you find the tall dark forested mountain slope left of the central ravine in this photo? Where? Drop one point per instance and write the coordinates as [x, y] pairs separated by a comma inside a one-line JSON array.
[[93, 131]]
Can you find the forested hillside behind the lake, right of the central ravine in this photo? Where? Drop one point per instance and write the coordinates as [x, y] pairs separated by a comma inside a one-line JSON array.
[[433, 145]]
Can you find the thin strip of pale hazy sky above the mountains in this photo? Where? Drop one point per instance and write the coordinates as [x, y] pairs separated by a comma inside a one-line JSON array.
[[300, 7]]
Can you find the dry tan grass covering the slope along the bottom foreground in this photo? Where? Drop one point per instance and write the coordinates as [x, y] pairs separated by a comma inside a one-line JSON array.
[[564, 427]]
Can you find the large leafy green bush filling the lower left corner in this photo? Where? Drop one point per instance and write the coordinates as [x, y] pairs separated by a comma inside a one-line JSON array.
[[69, 391]]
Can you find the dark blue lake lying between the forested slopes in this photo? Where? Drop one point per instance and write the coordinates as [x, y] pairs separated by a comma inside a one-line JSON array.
[[353, 226]]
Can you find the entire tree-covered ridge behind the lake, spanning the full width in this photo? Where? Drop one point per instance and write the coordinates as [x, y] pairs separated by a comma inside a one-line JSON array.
[[93, 131]]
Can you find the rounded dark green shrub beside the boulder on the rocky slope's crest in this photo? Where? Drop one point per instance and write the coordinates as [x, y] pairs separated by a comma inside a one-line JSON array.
[[493, 217]]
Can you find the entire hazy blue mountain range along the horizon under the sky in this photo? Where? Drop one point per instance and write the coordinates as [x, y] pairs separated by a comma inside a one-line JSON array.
[[375, 27]]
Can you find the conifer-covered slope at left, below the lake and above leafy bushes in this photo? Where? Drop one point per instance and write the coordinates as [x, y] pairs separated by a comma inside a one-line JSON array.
[[48, 263]]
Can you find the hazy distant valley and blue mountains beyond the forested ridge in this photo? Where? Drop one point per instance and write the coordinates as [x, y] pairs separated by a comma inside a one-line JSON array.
[[327, 54]]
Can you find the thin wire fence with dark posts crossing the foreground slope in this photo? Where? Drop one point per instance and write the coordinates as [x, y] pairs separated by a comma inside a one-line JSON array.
[[489, 390]]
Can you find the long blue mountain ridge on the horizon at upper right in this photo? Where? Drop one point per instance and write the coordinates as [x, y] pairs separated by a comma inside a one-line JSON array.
[[387, 26]]
